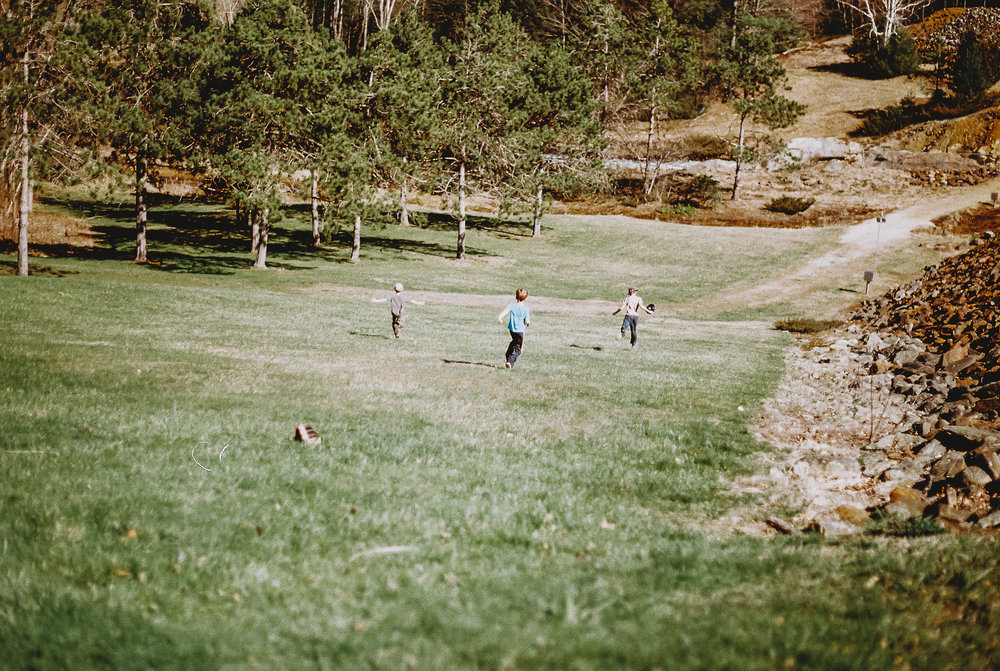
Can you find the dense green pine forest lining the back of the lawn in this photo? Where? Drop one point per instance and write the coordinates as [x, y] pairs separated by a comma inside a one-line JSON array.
[[511, 98]]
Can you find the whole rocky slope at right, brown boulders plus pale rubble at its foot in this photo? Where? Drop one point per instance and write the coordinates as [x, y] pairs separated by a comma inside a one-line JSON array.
[[915, 381]]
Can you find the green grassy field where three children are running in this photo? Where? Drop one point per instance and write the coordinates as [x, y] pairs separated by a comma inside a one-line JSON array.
[[155, 513]]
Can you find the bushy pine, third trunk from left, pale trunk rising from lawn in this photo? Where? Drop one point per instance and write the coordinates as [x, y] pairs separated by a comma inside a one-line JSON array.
[[262, 91]]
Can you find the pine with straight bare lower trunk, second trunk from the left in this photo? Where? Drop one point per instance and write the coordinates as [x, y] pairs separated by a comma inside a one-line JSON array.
[[131, 64]]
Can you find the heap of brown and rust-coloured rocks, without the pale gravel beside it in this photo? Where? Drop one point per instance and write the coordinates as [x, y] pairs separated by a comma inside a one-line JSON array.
[[936, 343]]
